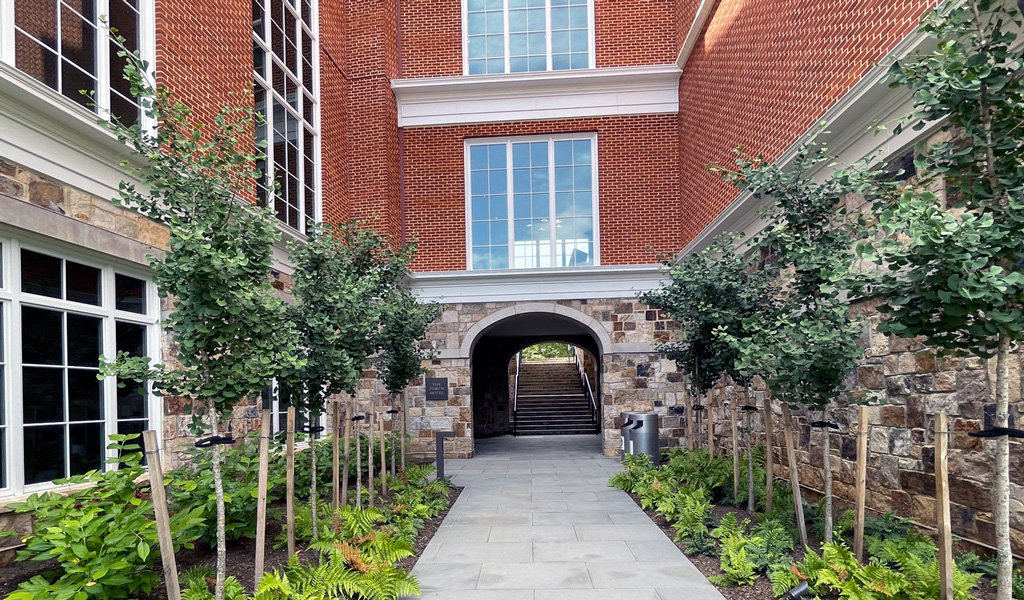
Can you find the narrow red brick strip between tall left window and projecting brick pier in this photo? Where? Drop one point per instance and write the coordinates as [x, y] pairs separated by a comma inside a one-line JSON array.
[[334, 112]]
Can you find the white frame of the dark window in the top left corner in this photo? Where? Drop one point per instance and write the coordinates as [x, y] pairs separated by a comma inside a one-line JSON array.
[[147, 50]]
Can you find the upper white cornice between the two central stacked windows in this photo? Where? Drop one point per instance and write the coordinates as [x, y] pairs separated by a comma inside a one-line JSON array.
[[531, 97]]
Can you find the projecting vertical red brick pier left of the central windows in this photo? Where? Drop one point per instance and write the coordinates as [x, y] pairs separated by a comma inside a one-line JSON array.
[[373, 126]]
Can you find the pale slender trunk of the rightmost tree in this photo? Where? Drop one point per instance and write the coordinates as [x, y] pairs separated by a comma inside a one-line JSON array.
[[1002, 504]]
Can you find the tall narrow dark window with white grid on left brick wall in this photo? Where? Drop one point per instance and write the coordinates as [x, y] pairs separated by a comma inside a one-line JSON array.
[[286, 57]]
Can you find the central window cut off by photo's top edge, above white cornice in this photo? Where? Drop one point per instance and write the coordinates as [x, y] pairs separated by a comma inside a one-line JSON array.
[[520, 36]]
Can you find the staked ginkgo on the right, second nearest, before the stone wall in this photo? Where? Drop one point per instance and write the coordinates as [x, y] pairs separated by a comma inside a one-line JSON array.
[[806, 345]]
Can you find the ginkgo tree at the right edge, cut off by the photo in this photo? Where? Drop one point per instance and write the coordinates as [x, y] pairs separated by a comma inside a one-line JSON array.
[[951, 264]]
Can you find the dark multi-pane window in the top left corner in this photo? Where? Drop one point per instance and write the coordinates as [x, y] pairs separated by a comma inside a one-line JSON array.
[[65, 46]]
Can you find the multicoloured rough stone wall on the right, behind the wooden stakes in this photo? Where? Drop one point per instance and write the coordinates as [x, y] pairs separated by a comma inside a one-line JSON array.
[[910, 385]]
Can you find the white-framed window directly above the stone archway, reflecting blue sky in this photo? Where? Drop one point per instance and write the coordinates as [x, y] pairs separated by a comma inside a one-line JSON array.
[[532, 202]]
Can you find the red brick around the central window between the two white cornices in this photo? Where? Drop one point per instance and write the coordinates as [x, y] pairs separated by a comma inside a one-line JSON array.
[[637, 178]]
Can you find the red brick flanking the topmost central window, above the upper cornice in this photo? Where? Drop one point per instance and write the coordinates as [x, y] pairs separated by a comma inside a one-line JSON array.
[[629, 33]]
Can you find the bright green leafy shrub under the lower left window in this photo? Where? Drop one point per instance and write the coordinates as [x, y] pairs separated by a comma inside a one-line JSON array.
[[104, 539]]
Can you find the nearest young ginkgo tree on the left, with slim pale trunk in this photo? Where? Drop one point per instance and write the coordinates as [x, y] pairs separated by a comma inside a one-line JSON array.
[[227, 322]]
